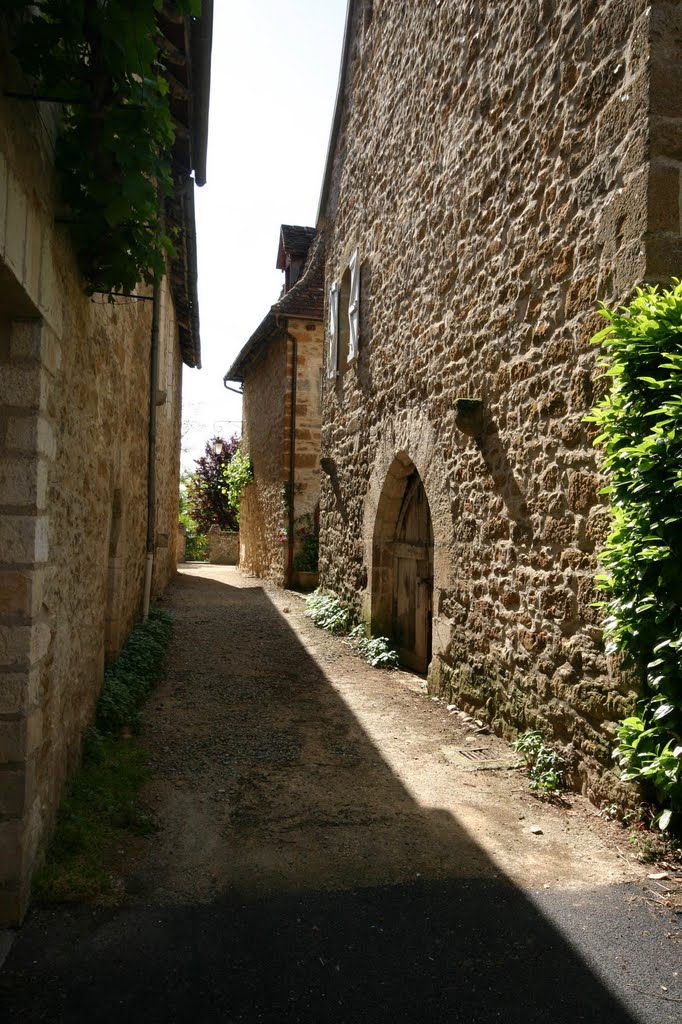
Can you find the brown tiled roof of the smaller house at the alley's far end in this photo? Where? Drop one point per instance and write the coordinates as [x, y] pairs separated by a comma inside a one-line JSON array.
[[306, 300]]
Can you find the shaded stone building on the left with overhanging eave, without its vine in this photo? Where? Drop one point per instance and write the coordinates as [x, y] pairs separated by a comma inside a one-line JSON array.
[[77, 449]]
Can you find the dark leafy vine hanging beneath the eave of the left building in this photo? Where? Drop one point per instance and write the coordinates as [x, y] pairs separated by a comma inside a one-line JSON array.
[[101, 59]]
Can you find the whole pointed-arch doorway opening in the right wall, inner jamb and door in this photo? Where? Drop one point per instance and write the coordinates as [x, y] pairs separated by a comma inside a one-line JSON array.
[[403, 566]]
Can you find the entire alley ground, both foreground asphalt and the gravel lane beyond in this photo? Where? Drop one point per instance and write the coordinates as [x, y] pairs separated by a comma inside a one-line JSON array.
[[332, 845]]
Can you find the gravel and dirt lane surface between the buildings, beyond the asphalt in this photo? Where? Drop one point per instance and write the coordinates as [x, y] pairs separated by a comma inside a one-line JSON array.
[[283, 762]]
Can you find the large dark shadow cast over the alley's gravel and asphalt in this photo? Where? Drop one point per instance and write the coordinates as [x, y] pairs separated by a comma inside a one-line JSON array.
[[336, 899]]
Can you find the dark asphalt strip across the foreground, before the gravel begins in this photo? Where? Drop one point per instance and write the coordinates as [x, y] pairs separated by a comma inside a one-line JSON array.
[[435, 952]]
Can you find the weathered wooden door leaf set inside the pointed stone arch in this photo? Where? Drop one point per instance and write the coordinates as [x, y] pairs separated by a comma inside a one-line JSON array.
[[413, 577]]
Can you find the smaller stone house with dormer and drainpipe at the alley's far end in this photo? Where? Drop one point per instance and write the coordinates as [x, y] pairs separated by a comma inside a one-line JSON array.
[[280, 372]]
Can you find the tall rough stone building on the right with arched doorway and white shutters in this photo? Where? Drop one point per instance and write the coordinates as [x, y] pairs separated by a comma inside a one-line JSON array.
[[494, 170]]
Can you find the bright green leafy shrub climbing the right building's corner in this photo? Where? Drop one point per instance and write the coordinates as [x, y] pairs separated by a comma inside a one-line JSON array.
[[641, 422]]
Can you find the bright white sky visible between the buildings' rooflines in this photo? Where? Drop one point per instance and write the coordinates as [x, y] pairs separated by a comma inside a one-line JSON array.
[[275, 72]]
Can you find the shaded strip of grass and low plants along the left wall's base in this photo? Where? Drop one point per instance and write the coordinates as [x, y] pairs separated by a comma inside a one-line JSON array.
[[102, 802]]
